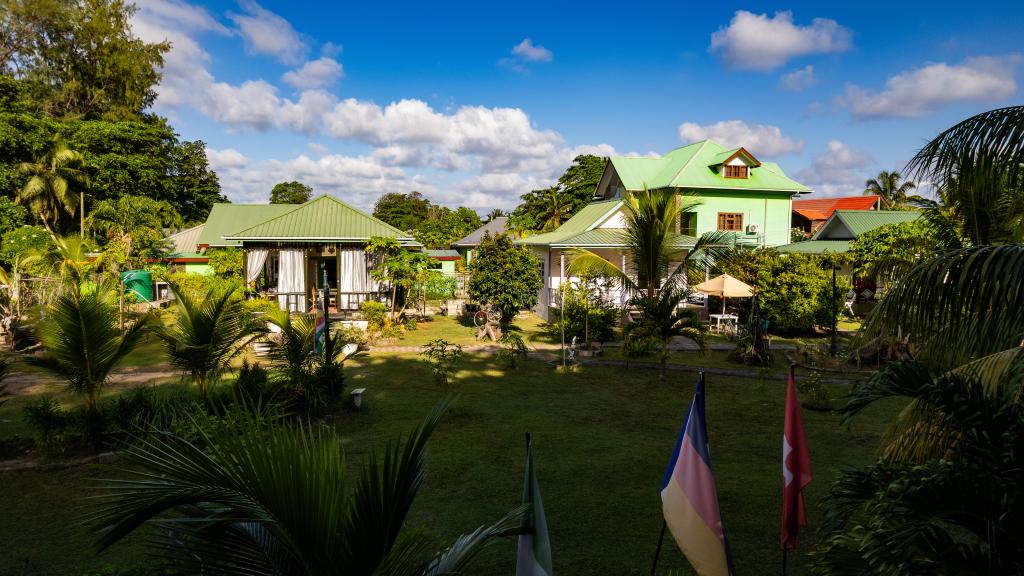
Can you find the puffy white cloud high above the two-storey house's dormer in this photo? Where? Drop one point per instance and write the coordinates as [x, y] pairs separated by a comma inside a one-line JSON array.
[[758, 43]]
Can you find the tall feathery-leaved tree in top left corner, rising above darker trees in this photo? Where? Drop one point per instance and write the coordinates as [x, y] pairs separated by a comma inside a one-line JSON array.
[[80, 59]]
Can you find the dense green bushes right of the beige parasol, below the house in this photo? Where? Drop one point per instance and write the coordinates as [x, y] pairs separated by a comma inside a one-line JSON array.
[[794, 290]]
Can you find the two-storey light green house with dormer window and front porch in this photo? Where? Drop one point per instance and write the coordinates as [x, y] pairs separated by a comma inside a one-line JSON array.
[[737, 193]]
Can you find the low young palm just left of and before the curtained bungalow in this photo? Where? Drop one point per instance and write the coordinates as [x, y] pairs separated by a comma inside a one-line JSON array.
[[209, 333]]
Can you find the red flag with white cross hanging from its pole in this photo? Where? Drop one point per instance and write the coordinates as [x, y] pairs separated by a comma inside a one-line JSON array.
[[796, 469]]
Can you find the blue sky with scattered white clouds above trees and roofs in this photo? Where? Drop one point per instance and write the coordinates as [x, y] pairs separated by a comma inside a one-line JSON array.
[[475, 104]]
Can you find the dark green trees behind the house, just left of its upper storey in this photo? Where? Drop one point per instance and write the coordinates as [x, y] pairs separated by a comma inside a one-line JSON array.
[[547, 209]]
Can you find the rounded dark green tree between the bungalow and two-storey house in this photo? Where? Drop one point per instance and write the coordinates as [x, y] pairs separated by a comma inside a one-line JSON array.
[[504, 275]]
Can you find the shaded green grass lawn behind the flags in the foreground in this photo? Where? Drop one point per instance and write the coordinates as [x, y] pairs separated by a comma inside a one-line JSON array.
[[603, 439]]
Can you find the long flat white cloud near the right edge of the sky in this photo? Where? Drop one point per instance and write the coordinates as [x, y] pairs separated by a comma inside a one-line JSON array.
[[924, 91]]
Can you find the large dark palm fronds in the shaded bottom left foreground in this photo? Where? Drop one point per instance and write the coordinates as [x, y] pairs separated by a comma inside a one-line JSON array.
[[278, 501]]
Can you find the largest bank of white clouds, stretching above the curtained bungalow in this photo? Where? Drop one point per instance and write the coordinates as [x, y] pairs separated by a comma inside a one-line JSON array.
[[472, 155]]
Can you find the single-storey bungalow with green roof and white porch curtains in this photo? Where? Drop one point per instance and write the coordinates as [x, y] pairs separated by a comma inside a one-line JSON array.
[[292, 250]]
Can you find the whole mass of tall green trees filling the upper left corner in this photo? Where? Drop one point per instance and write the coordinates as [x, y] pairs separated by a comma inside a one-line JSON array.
[[72, 72]]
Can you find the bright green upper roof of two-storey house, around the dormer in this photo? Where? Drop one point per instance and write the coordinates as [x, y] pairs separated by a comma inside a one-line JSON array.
[[694, 167]]
